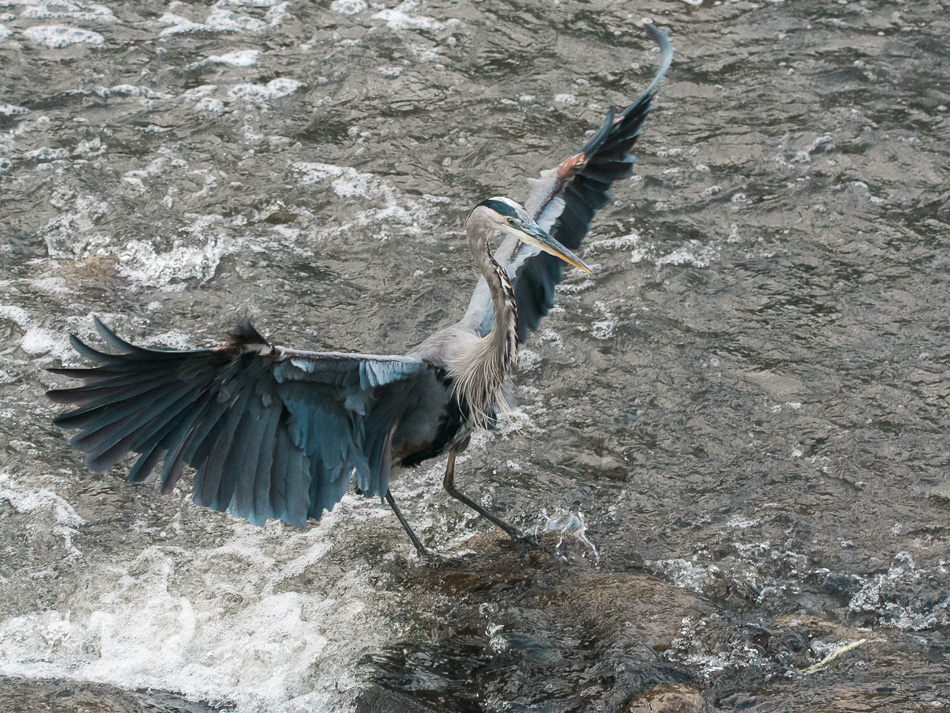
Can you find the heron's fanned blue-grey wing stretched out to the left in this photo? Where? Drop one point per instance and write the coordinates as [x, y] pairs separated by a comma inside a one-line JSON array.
[[270, 432]]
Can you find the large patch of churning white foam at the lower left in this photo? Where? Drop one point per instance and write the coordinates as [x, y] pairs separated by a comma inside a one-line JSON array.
[[247, 634]]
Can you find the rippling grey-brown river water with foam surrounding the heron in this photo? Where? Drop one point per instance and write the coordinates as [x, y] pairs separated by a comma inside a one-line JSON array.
[[734, 435]]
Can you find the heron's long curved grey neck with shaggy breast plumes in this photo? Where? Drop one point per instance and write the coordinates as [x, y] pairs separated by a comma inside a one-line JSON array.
[[483, 369]]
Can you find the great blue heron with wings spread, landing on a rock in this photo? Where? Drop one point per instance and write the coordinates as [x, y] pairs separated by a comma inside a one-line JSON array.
[[279, 433]]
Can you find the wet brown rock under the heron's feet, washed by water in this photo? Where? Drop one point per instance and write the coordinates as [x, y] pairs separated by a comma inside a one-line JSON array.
[[523, 616]]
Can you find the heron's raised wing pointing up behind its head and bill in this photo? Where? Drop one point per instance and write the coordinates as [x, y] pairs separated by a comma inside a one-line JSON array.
[[563, 202]]
